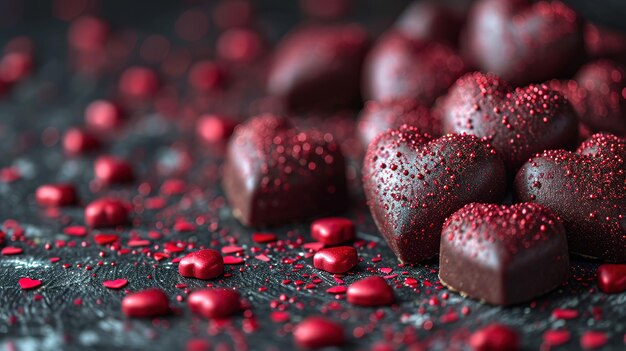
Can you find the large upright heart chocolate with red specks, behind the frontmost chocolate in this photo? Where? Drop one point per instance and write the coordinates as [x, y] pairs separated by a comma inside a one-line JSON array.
[[412, 184]]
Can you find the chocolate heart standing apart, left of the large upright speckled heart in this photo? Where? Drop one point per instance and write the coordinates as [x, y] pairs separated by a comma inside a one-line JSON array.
[[274, 173]]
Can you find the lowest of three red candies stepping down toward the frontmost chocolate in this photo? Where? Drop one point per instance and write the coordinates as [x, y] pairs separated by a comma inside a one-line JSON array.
[[370, 291]]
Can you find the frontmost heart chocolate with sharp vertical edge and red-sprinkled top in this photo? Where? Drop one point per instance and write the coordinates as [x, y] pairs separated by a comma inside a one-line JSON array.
[[503, 254]]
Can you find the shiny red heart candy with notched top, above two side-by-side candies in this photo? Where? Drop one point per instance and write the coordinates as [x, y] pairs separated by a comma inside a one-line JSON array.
[[202, 264]]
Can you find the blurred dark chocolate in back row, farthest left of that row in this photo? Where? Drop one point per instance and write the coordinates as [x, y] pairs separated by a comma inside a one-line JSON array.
[[319, 67]]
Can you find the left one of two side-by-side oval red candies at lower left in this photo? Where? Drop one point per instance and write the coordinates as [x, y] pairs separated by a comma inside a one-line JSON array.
[[145, 304]]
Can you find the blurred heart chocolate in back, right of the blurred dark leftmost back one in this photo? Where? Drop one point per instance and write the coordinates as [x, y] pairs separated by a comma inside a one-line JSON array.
[[398, 67]]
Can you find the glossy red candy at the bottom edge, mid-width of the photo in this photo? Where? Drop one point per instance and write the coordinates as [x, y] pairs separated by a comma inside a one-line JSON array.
[[318, 332]]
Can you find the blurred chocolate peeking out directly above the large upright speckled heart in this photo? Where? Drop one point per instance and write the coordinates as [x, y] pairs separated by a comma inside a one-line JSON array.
[[378, 116]]
